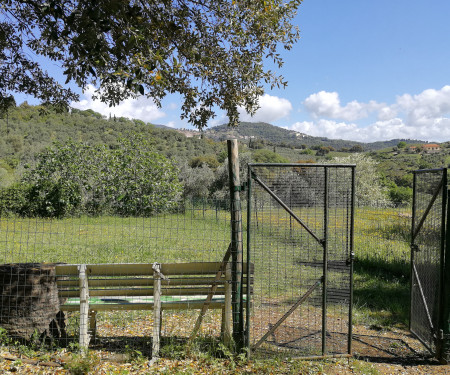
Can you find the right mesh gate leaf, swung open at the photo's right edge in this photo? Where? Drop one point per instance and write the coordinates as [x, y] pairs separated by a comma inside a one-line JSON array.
[[428, 247]]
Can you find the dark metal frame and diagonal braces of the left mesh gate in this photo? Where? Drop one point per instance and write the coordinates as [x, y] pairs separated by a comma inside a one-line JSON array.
[[323, 242]]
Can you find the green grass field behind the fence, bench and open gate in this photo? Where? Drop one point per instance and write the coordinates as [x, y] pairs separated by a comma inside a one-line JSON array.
[[202, 234]]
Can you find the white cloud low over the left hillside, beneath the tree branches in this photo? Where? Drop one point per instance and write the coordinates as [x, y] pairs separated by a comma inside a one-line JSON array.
[[141, 108]]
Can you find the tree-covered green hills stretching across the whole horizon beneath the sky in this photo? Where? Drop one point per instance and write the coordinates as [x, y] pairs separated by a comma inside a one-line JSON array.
[[26, 131]]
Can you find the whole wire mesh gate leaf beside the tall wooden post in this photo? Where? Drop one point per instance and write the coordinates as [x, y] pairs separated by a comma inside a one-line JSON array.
[[300, 240]]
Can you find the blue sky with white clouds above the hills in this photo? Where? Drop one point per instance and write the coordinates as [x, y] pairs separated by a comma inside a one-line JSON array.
[[362, 70]]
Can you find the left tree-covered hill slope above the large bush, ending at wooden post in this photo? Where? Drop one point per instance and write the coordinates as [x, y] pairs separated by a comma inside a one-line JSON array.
[[27, 131]]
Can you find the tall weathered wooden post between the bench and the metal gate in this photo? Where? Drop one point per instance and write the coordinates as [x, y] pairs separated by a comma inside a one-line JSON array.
[[236, 242]]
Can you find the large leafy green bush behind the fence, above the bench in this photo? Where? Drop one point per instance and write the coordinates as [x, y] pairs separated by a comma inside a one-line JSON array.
[[74, 178]]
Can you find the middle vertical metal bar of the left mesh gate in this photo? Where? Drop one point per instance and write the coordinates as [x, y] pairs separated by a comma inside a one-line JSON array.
[[325, 264]]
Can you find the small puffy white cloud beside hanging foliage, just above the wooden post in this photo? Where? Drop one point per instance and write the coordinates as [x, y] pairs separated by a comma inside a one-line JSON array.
[[272, 108]]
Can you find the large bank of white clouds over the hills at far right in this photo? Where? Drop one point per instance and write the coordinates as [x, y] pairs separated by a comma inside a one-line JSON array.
[[424, 116]]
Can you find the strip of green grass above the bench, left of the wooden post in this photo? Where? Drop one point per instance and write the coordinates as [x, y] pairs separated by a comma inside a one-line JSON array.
[[194, 236]]
